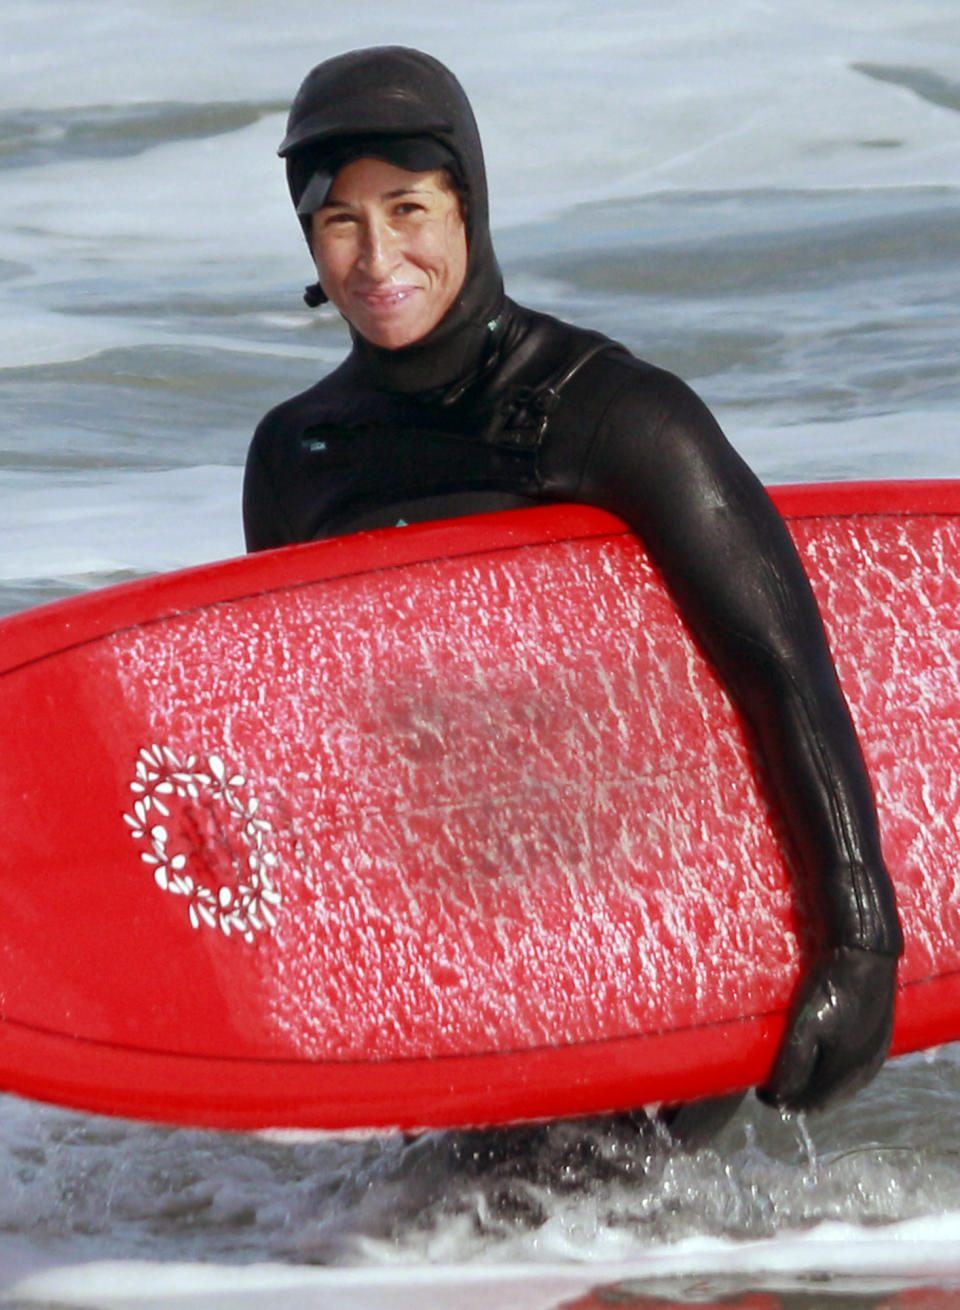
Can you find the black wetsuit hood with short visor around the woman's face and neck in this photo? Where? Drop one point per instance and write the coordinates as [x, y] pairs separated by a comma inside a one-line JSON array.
[[388, 95]]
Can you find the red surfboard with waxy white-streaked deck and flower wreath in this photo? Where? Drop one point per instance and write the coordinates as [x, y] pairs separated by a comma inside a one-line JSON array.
[[446, 826]]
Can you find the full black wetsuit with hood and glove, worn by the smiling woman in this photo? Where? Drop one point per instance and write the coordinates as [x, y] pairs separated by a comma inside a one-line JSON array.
[[504, 407]]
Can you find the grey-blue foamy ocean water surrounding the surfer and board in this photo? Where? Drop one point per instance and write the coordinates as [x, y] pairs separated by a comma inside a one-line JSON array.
[[766, 200]]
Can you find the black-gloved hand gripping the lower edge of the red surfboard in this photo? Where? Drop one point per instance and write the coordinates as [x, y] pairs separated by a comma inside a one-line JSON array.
[[840, 1030]]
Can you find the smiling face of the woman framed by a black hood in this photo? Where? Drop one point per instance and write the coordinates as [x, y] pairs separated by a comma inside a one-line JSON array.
[[391, 251]]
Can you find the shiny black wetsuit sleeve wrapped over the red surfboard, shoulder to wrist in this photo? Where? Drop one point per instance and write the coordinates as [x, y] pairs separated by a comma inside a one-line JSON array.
[[662, 463]]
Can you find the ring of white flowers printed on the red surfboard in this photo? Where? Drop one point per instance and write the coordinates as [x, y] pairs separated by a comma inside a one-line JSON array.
[[218, 827]]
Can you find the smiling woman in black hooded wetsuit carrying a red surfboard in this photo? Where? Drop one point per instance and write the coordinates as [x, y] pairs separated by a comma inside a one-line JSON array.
[[454, 400]]
